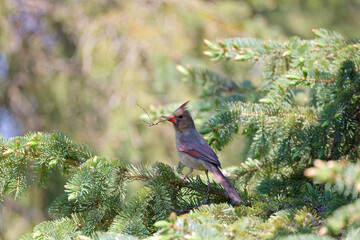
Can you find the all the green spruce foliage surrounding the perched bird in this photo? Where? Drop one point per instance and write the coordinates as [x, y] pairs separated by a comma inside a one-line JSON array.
[[306, 109]]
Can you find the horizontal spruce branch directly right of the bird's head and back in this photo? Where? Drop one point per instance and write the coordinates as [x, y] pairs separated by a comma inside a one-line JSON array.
[[227, 122]]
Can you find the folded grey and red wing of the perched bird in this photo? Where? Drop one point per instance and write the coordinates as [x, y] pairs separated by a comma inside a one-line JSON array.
[[199, 149]]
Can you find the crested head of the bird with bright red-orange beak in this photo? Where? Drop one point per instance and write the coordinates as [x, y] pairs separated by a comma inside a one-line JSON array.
[[181, 118]]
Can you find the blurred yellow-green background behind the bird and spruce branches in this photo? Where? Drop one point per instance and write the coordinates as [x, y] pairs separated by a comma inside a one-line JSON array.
[[83, 66]]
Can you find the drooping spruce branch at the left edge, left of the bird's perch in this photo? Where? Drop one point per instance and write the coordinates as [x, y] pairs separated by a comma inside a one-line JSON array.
[[39, 153]]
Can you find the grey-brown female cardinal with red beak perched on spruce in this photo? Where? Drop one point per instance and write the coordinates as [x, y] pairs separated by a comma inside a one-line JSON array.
[[195, 152]]
